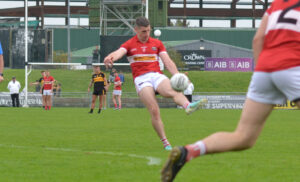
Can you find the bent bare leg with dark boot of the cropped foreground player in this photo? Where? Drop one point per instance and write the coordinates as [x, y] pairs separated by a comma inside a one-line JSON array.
[[251, 123]]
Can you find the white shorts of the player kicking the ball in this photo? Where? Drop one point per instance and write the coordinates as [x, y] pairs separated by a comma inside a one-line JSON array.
[[151, 79]]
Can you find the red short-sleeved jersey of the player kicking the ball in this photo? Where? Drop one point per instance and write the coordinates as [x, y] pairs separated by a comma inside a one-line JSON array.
[[143, 57]]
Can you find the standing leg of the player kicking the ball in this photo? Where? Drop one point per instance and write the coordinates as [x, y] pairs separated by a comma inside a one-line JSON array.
[[147, 95]]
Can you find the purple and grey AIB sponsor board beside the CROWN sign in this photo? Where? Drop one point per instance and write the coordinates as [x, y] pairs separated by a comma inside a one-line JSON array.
[[229, 64]]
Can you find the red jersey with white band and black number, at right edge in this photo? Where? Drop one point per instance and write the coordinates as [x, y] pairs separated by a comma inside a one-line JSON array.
[[281, 49]]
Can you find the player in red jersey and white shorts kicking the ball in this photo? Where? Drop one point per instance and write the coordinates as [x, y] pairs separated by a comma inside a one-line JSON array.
[[143, 53]]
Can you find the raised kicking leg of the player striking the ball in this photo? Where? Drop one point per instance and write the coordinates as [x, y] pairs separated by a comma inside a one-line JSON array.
[[165, 90]]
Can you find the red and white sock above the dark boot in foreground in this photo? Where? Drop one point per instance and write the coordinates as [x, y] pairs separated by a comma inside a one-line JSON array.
[[195, 150]]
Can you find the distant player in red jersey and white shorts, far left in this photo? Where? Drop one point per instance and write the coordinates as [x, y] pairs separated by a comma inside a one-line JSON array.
[[47, 88]]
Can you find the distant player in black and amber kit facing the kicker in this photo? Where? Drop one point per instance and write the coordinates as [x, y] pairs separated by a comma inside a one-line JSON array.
[[99, 81]]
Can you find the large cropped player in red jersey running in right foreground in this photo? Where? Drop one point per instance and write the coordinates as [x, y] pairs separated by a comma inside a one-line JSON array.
[[276, 49]]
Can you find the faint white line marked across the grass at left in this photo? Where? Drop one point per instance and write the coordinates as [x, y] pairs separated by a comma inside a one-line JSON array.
[[151, 160]]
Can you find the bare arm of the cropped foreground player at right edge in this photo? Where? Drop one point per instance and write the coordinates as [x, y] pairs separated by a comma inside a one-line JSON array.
[[258, 40]]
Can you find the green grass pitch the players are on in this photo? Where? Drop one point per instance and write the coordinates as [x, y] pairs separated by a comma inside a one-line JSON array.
[[69, 145]]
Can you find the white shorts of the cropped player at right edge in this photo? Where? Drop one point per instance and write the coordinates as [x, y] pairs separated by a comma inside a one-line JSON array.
[[275, 87]]
